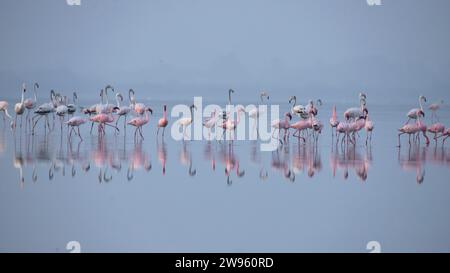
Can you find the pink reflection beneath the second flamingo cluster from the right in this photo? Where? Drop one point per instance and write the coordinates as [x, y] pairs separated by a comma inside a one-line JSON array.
[[351, 157]]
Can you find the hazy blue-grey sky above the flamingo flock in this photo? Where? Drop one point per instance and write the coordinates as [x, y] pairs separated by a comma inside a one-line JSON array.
[[180, 49]]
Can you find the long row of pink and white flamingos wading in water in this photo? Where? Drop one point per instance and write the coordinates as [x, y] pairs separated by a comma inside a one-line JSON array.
[[106, 114]]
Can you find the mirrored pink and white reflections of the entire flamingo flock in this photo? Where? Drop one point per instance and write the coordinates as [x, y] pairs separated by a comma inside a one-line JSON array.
[[105, 157]]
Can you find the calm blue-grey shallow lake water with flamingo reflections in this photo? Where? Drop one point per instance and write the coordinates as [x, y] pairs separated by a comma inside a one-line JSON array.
[[113, 194]]
